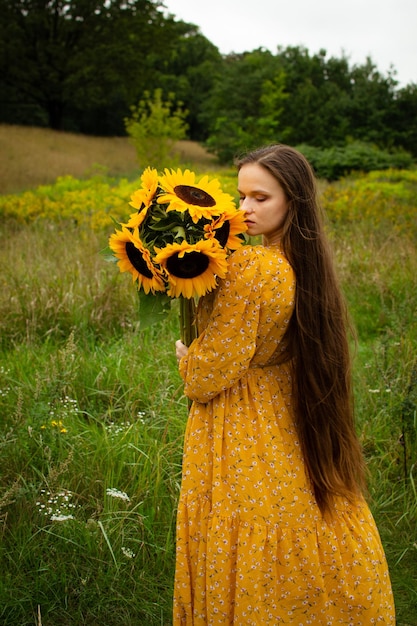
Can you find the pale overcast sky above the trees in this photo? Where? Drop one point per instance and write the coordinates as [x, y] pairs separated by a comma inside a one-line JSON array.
[[385, 30]]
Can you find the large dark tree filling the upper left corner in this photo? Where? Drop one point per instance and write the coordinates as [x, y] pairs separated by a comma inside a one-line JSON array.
[[81, 55]]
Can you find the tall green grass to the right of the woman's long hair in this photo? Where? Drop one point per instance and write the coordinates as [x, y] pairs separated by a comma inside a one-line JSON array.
[[379, 272]]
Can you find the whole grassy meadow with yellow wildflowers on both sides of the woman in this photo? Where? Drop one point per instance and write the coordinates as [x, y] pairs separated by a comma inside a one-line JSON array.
[[92, 410]]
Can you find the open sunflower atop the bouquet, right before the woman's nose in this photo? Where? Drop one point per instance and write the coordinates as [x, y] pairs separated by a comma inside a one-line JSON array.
[[202, 199]]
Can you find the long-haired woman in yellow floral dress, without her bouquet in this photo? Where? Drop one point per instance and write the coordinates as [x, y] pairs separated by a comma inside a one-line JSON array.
[[272, 526]]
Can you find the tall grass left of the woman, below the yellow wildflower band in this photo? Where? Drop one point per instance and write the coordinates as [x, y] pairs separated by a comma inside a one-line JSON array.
[[87, 403]]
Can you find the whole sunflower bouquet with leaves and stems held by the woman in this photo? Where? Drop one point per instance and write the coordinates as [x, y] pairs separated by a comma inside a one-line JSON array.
[[176, 243]]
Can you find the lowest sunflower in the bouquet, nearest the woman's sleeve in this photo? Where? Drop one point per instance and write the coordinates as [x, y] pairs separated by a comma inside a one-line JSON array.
[[192, 269]]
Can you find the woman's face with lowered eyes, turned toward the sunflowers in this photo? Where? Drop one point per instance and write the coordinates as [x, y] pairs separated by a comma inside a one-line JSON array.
[[263, 202]]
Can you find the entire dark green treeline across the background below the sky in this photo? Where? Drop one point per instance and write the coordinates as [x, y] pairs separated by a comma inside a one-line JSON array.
[[80, 65]]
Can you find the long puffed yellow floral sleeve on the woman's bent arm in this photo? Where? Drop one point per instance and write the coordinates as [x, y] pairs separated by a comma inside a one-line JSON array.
[[220, 356]]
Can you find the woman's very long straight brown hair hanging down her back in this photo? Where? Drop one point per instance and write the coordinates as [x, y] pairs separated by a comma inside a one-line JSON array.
[[317, 335]]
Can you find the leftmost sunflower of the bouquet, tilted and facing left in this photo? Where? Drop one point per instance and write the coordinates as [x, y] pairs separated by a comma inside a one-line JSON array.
[[136, 259]]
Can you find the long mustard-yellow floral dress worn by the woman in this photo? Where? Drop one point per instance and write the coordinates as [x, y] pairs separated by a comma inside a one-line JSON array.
[[252, 546]]
